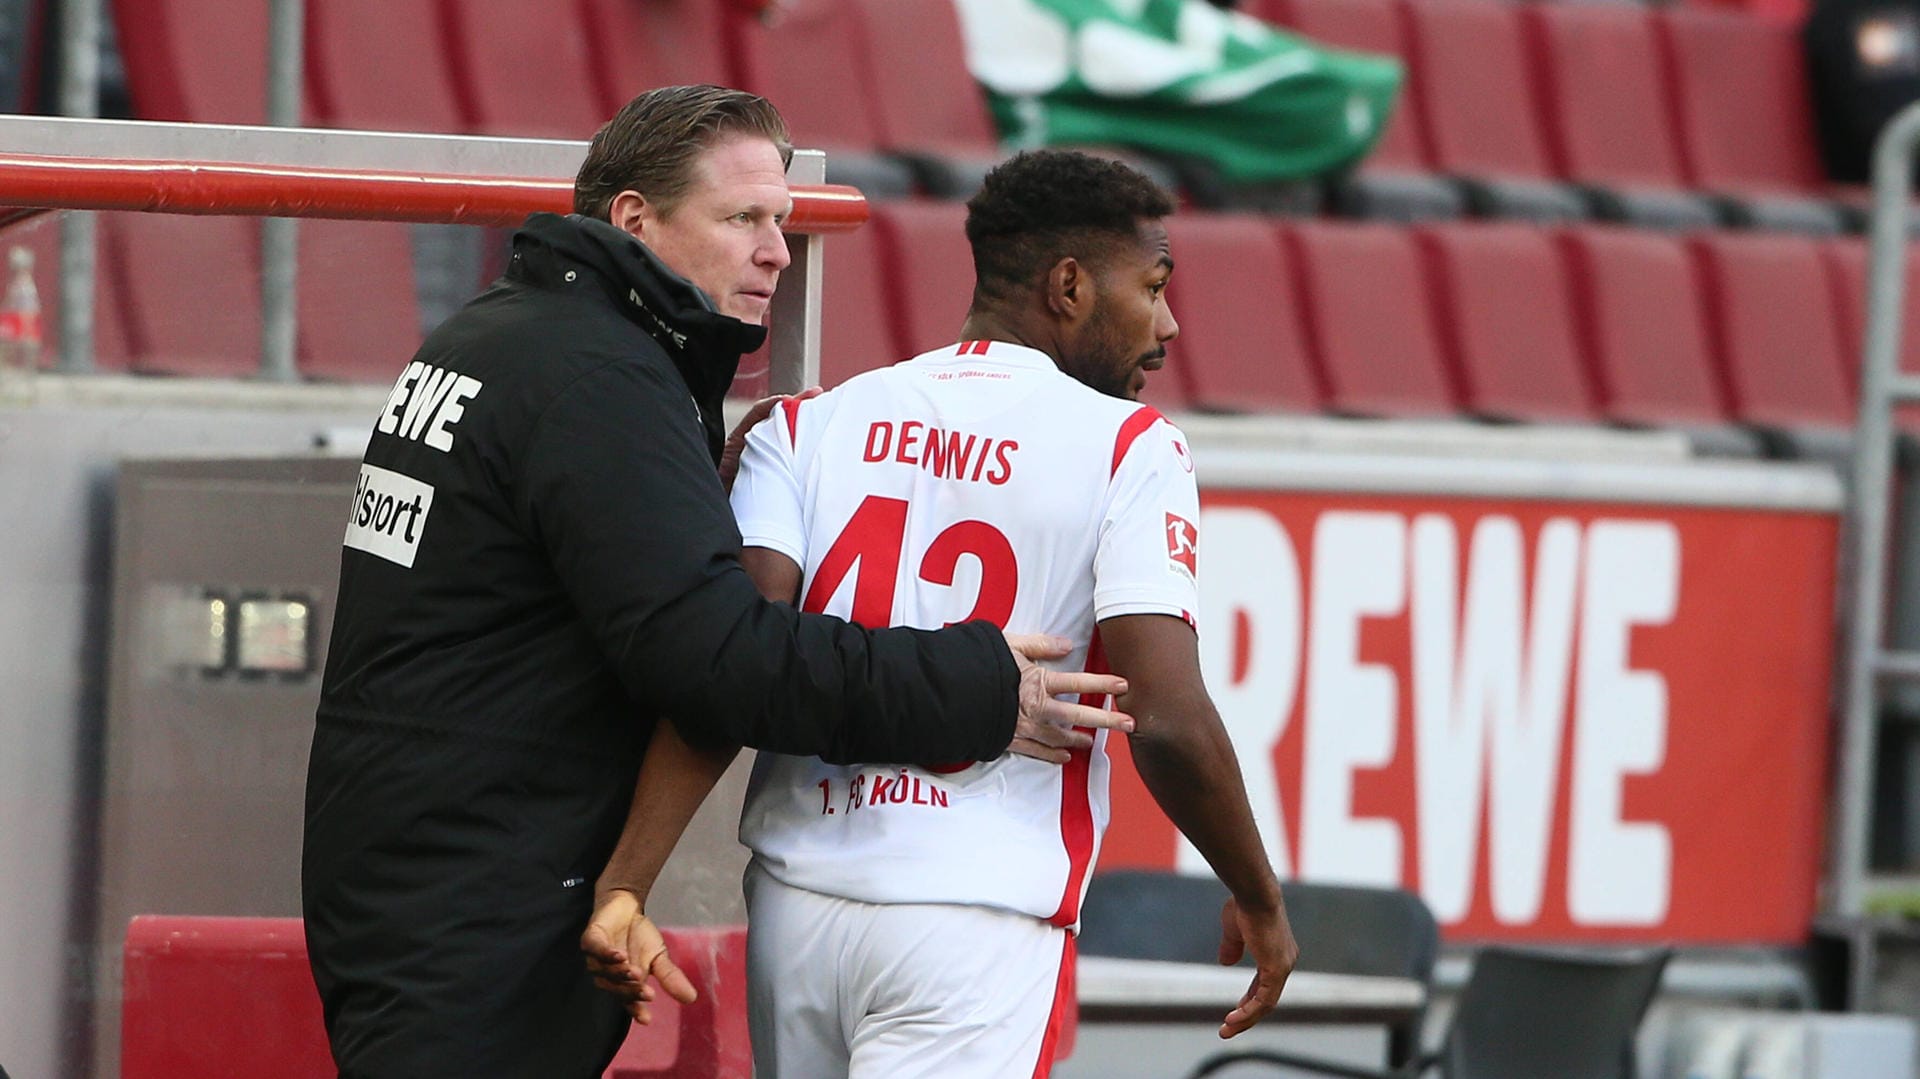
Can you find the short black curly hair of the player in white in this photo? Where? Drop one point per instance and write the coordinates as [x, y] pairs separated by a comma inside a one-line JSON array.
[[1044, 206]]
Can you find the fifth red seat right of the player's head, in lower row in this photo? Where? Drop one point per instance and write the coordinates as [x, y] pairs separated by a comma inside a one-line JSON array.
[[1777, 329]]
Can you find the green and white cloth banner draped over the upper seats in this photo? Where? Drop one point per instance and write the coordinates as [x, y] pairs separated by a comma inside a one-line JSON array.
[[1178, 78]]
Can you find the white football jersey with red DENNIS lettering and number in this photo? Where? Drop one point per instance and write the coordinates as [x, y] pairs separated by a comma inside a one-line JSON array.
[[969, 483]]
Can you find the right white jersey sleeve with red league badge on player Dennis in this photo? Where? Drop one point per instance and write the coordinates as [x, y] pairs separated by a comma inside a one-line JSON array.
[[1149, 556]]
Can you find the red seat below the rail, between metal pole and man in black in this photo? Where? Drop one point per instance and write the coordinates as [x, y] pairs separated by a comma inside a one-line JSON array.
[[358, 312]]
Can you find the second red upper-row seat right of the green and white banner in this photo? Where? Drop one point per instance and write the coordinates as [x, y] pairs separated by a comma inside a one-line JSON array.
[[1481, 118]]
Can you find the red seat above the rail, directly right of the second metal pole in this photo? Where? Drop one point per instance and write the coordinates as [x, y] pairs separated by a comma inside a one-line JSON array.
[[381, 66]]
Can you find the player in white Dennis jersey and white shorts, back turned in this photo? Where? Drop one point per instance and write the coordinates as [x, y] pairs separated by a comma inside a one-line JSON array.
[[919, 923]]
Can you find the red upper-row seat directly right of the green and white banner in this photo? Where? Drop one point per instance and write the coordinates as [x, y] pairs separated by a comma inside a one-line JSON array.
[[1395, 181]]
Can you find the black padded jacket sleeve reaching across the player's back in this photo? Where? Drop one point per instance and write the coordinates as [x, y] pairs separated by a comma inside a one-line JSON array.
[[621, 492]]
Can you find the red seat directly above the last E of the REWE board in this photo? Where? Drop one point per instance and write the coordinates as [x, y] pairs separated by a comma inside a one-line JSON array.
[[1641, 314]]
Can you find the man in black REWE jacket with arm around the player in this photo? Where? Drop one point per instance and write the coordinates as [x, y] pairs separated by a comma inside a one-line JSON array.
[[540, 563]]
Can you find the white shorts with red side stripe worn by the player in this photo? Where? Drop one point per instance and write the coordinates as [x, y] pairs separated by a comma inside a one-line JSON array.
[[900, 992]]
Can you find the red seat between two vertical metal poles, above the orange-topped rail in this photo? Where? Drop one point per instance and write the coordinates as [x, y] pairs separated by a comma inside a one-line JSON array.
[[195, 60]]
